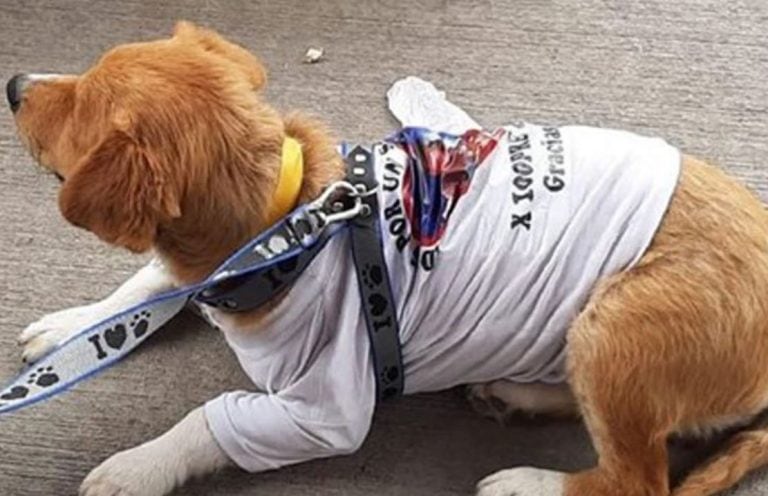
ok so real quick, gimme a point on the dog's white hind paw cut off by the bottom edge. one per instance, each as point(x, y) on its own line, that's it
point(523, 481)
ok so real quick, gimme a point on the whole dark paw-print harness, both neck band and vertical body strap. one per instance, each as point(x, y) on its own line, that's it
point(250, 291)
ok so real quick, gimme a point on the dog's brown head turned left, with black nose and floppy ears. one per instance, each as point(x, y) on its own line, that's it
point(137, 139)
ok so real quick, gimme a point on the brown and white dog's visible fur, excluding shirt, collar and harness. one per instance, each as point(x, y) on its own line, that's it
point(138, 142)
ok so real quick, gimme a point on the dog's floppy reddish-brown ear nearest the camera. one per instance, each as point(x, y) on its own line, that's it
point(121, 192)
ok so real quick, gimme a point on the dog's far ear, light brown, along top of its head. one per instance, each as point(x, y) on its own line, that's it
point(213, 42)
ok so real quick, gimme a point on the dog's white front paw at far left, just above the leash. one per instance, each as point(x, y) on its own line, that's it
point(42, 336)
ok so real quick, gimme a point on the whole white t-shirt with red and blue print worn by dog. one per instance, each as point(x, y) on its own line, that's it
point(493, 243)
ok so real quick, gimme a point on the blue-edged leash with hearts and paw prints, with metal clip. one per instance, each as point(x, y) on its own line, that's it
point(304, 231)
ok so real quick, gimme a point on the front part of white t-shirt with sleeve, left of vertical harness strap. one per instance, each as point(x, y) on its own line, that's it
point(314, 371)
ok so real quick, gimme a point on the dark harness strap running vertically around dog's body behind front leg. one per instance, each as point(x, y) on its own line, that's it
point(373, 279)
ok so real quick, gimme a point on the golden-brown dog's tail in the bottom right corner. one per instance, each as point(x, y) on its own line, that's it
point(745, 452)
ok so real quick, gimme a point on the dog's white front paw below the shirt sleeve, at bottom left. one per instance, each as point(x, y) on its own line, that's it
point(135, 472)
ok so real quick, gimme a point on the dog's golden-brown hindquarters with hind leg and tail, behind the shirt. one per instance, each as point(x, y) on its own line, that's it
point(678, 342)
